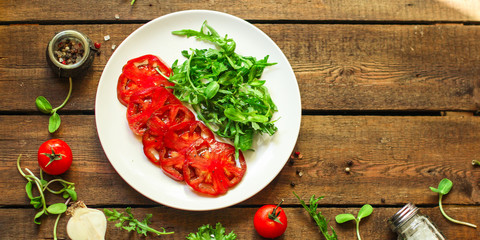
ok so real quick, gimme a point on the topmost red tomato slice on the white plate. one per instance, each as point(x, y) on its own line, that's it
point(140, 73)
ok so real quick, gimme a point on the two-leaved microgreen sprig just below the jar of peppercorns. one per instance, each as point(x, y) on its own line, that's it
point(45, 107)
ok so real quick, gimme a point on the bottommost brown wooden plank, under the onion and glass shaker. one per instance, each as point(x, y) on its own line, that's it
point(18, 223)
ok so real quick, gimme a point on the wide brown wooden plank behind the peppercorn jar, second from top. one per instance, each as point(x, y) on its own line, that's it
point(391, 67)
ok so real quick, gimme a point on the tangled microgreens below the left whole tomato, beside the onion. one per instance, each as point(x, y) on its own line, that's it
point(39, 202)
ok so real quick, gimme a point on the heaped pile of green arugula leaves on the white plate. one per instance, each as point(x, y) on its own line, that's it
point(224, 88)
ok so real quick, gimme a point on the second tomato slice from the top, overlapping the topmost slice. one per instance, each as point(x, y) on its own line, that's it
point(142, 105)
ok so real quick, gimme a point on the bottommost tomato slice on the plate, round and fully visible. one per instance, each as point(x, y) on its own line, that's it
point(210, 167)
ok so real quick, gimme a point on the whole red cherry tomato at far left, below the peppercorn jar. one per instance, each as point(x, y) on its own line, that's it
point(54, 156)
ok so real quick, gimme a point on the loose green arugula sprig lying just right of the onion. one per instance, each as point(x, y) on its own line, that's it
point(132, 224)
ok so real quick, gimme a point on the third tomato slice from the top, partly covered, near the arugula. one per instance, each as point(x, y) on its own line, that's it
point(165, 117)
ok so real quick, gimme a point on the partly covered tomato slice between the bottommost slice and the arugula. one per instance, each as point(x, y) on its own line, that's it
point(182, 135)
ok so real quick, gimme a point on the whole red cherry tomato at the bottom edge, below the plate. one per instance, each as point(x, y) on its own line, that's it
point(270, 221)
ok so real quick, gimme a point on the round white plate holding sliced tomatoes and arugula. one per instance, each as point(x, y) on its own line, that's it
point(125, 150)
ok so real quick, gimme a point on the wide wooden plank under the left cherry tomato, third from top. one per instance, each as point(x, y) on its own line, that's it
point(393, 160)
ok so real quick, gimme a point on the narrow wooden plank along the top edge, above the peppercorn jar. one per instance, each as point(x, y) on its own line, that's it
point(351, 10)
